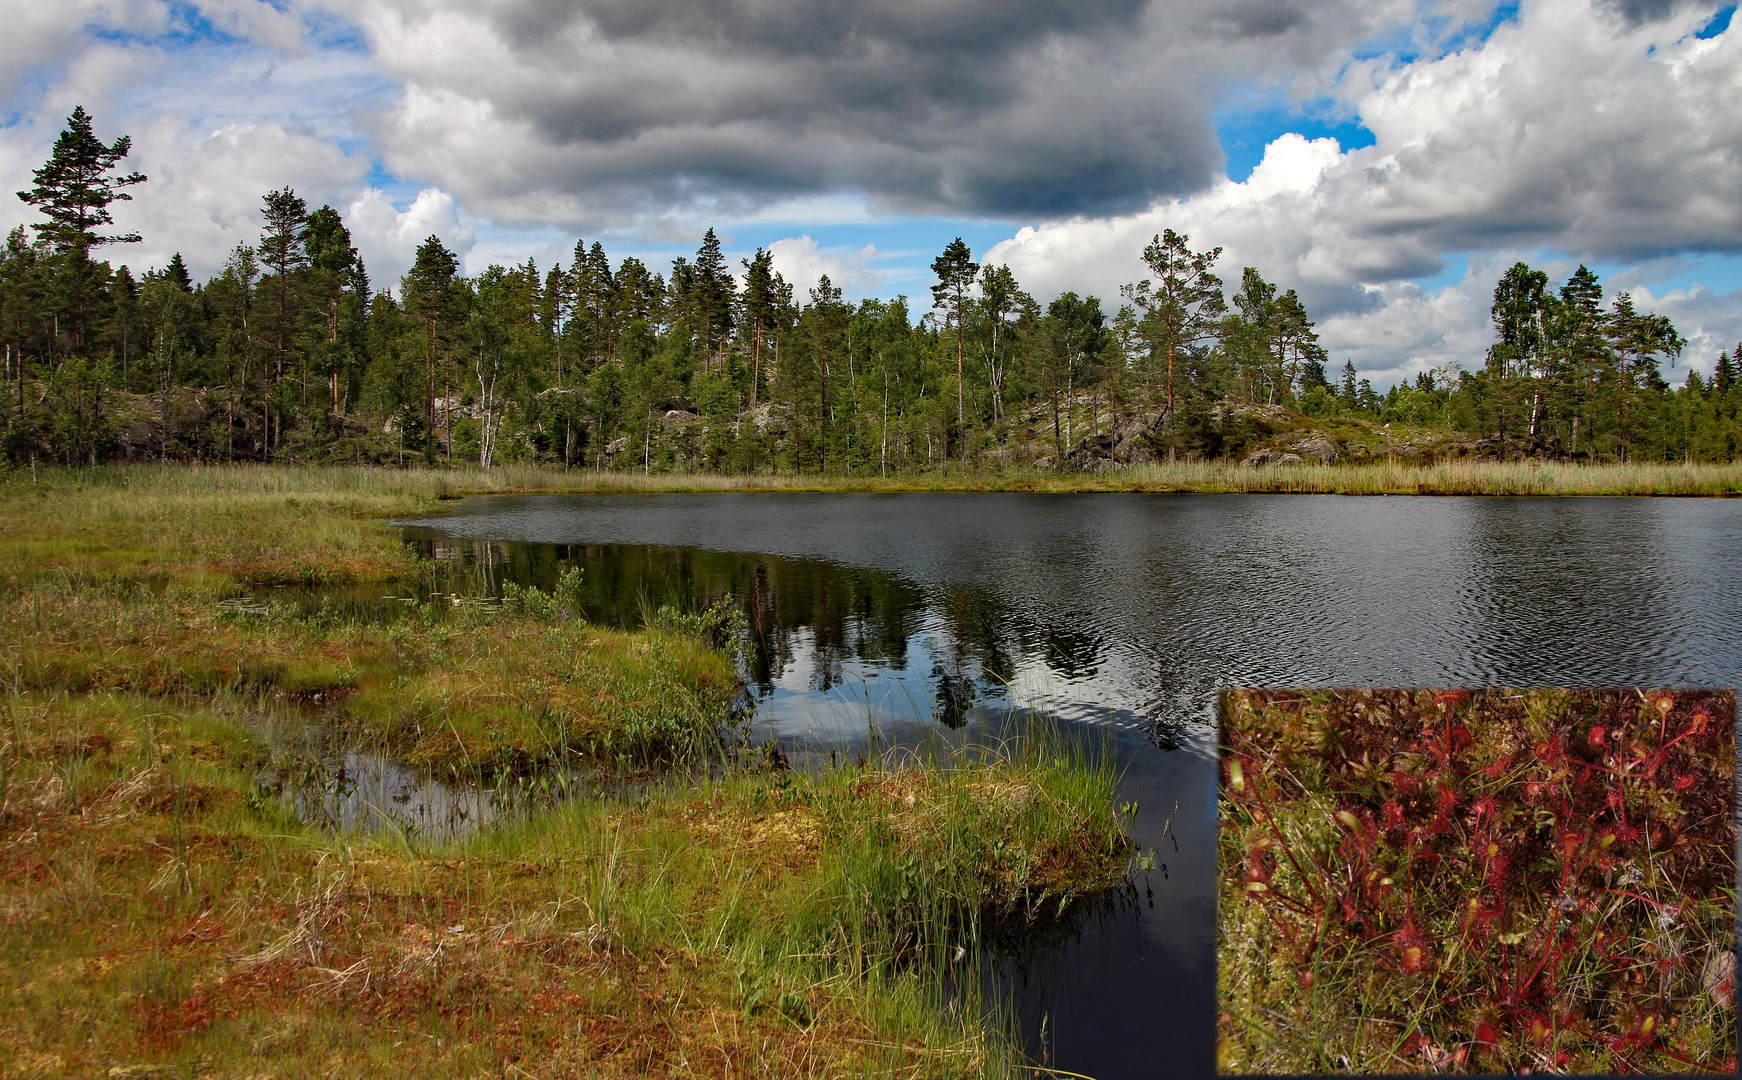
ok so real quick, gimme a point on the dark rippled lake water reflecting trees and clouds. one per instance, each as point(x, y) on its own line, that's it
point(1124, 614)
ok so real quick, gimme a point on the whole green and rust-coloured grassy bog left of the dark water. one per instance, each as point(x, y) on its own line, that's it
point(165, 910)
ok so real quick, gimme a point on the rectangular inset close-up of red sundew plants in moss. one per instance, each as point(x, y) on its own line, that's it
point(1490, 882)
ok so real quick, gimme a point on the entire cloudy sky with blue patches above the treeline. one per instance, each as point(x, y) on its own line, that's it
point(1388, 159)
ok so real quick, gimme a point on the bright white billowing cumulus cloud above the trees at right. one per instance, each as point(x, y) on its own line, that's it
point(1572, 132)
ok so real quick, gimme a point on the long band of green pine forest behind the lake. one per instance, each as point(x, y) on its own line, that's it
point(292, 354)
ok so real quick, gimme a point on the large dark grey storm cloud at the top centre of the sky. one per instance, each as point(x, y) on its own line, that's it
point(983, 107)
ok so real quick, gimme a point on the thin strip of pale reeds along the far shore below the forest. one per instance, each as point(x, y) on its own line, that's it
point(393, 492)
